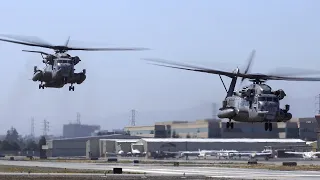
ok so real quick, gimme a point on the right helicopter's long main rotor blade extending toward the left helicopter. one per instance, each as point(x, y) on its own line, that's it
point(190, 67)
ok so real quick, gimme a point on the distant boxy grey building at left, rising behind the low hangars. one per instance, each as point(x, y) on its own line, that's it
point(78, 130)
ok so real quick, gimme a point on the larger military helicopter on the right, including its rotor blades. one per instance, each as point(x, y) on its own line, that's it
point(254, 103)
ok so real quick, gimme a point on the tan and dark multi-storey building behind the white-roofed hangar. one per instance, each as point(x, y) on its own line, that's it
point(297, 128)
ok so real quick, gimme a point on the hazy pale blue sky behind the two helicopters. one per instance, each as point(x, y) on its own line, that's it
point(219, 34)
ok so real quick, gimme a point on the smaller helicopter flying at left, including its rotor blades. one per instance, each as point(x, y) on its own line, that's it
point(59, 67)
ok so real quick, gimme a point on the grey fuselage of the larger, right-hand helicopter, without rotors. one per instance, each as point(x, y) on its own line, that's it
point(256, 103)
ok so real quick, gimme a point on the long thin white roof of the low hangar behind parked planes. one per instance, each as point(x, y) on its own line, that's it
point(245, 140)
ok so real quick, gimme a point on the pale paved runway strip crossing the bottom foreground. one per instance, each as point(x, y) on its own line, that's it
point(171, 170)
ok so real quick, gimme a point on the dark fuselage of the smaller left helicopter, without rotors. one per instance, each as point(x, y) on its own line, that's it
point(58, 72)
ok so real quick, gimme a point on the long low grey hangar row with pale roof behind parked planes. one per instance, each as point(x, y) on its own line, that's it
point(100, 146)
